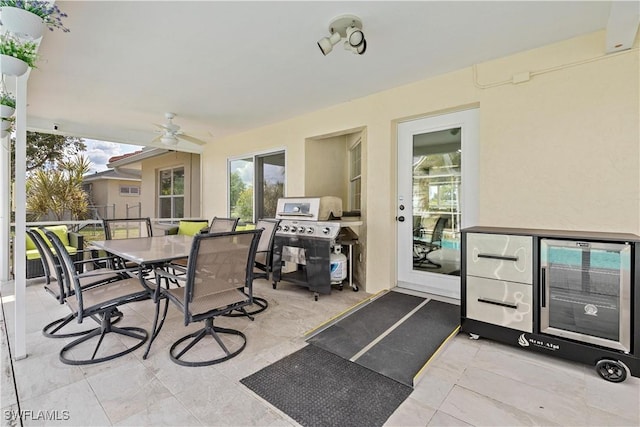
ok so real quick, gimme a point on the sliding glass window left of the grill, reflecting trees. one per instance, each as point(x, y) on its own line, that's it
point(255, 184)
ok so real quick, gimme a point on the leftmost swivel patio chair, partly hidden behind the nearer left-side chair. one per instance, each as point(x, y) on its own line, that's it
point(55, 285)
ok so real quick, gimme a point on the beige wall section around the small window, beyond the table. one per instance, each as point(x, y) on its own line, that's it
point(150, 171)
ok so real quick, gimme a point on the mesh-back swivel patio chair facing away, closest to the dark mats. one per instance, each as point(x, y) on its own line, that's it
point(218, 280)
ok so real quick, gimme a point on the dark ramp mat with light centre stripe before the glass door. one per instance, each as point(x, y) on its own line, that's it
point(395, 335)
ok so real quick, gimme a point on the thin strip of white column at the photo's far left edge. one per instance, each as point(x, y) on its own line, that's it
point(5, 207)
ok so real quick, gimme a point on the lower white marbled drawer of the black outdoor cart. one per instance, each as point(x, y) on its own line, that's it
point(500, 303)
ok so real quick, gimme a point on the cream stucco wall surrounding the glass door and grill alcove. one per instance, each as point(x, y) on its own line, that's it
point(559, 151)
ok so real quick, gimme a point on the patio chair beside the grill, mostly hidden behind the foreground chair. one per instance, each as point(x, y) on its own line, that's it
point(262, 266)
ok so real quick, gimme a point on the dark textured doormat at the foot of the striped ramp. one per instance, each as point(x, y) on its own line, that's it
point(318, 388)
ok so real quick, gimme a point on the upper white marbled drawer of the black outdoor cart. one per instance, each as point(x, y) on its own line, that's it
point(500, 256)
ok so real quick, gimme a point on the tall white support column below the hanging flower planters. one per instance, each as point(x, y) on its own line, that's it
point(19, 243)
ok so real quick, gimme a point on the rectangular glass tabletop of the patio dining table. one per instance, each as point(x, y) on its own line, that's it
point(148, 250)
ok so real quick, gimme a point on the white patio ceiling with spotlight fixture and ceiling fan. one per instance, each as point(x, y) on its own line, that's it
point(226, 67)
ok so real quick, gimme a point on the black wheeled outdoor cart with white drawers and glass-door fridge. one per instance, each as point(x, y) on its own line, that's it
point(574, 295)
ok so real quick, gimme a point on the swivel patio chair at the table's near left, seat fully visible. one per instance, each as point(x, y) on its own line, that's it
point(100, 302)
